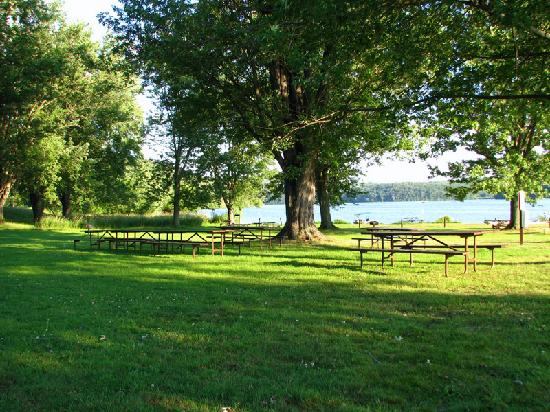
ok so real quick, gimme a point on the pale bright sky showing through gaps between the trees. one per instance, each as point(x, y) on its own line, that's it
point(389, 171)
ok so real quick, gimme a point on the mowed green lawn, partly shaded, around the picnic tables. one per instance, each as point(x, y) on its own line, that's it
point(297, 327)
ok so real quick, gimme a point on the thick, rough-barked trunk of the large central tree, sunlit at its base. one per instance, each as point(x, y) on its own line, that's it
point(299, 202)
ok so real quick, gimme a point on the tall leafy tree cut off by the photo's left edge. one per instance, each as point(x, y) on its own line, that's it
point(28, 63)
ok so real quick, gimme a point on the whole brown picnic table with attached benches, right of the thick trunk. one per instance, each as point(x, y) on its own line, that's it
point(408, 241)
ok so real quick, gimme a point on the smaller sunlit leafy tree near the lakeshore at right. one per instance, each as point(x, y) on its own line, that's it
point(513, 152)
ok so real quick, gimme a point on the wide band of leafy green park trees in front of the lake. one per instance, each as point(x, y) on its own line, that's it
point(279, 97)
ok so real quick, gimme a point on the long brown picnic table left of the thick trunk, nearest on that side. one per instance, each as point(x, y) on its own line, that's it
point(158, 238)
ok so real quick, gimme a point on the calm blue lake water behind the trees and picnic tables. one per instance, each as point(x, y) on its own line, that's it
point(469, 211)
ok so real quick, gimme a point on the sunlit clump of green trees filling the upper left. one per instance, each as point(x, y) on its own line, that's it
point(70, 123)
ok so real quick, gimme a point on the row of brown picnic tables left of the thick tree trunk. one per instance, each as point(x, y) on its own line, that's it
point(216, 239)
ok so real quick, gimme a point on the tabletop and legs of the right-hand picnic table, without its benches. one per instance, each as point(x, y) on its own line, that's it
point(407, 239)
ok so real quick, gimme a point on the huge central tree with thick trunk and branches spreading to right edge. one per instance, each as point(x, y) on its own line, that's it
point(287, 69)
